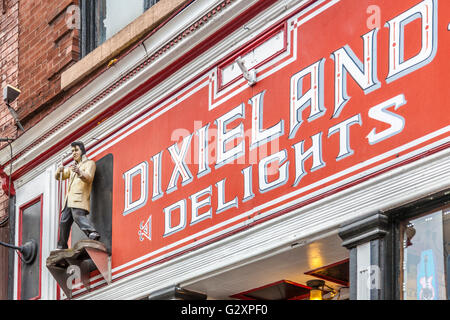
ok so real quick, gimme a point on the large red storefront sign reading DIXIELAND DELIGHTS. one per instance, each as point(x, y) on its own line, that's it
point(345, 90)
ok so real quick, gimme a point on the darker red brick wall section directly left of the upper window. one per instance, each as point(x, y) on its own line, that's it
point(47, 47)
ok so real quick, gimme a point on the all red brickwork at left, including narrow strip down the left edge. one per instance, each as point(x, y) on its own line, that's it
point(36, 45)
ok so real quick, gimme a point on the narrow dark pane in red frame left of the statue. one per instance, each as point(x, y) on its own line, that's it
point(30, 273)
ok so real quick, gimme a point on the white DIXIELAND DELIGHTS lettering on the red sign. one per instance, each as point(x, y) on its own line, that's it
point(272, 170)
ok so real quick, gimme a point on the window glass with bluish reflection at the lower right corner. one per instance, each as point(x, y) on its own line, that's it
point(426, 243)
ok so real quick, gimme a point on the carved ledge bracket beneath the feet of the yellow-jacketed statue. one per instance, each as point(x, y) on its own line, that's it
point(71, 267)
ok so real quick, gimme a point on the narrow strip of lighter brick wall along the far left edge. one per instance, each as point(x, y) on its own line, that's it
point(9, 58)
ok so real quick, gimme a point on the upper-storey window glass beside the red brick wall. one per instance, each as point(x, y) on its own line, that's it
point(101, 19)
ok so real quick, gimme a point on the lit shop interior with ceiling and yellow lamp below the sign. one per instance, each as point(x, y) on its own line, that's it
point(284, 275)
